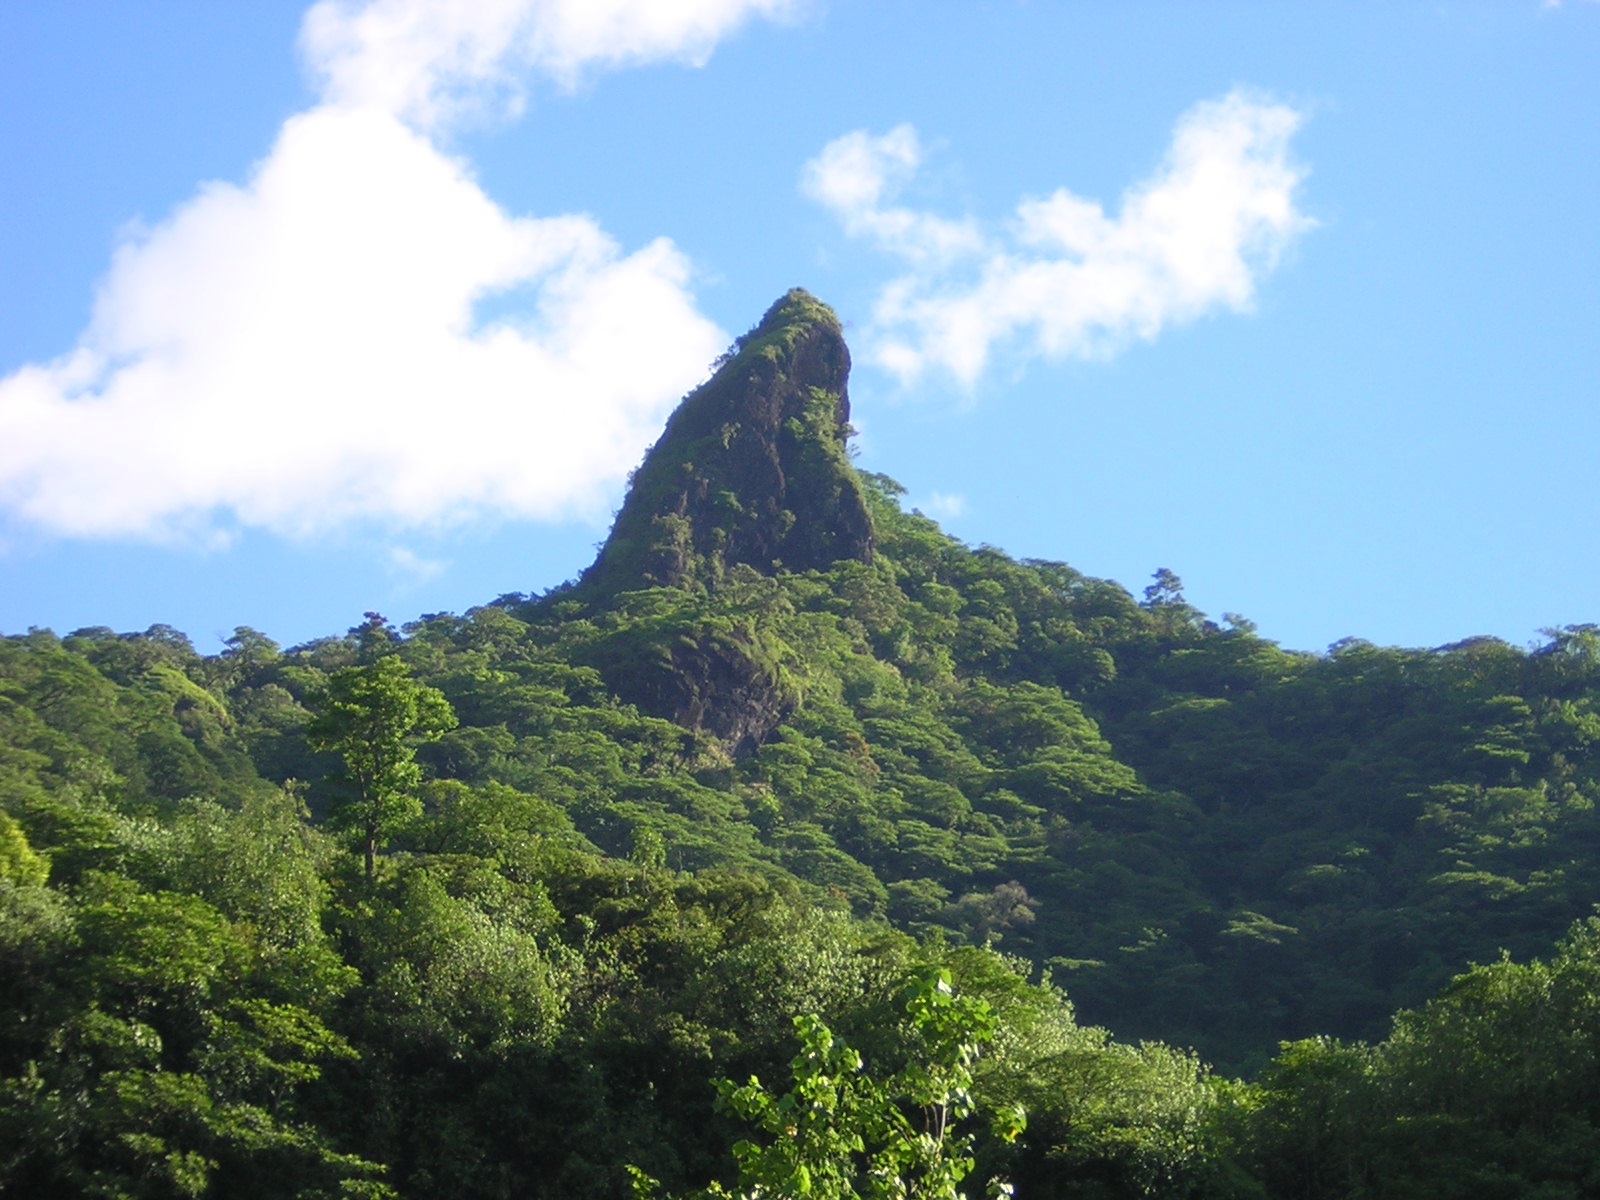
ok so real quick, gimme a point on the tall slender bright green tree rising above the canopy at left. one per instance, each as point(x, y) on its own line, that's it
point(374, 716)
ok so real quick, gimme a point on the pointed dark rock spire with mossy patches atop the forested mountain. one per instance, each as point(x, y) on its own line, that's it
point(751, 468)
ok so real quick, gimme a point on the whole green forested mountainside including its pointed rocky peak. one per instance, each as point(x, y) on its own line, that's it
point(484, 905)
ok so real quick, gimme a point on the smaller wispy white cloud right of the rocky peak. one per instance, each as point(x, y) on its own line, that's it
point(1063, 278)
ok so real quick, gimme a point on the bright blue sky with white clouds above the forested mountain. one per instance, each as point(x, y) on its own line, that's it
point(316, 311)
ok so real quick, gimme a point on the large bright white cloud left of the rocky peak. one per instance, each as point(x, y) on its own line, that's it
point(302, 351)
